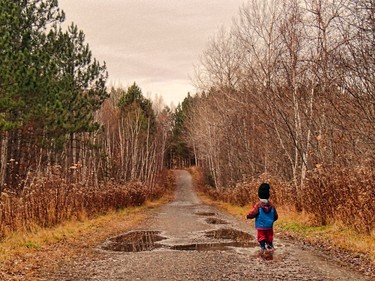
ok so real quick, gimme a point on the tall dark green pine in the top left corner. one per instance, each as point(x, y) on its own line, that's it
point(24, 64)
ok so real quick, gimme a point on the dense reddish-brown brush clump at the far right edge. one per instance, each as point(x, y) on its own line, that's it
point(343, 195)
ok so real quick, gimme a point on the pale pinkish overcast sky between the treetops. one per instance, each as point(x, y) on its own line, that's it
point(154, 43)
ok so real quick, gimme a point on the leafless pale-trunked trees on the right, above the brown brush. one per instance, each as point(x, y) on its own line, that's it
point(275, 89)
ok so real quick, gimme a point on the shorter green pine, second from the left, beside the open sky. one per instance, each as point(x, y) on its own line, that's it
point(80, 81)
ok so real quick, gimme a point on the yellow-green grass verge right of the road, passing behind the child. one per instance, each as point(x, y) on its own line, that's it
point(300, 226)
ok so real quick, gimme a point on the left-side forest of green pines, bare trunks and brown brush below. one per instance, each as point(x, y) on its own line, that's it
point(70, 147)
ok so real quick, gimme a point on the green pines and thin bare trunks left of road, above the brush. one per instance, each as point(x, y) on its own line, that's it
point(58, 118)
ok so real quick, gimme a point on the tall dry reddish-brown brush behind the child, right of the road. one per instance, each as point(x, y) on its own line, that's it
point(330, 195)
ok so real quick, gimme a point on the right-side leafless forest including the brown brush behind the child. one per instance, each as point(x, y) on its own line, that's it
point(287, 95)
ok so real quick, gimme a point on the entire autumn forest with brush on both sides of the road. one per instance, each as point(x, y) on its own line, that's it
point(285, 95)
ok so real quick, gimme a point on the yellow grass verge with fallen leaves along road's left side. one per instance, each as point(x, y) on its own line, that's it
point(24, 254)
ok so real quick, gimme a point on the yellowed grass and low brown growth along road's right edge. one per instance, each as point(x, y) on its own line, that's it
point(300, 225)
